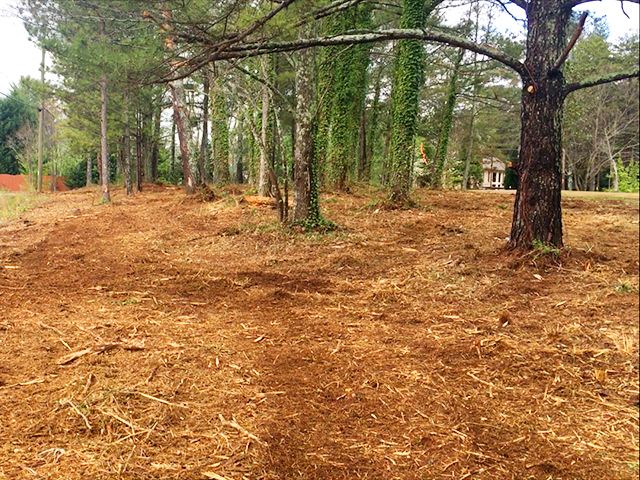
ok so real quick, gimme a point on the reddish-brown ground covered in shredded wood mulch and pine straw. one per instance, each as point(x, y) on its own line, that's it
point(165, 338)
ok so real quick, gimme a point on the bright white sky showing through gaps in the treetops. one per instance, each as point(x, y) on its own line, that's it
point(19, 57)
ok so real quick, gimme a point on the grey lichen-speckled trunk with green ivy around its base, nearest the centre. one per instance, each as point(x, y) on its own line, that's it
point(307, 205)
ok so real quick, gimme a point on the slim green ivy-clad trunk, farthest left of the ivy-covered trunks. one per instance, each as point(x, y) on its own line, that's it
point(219, 136)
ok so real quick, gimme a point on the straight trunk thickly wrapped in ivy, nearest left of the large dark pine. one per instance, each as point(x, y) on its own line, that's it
point(408, 79)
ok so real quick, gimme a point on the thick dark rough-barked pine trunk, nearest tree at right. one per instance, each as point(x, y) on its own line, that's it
point(537, 212)
